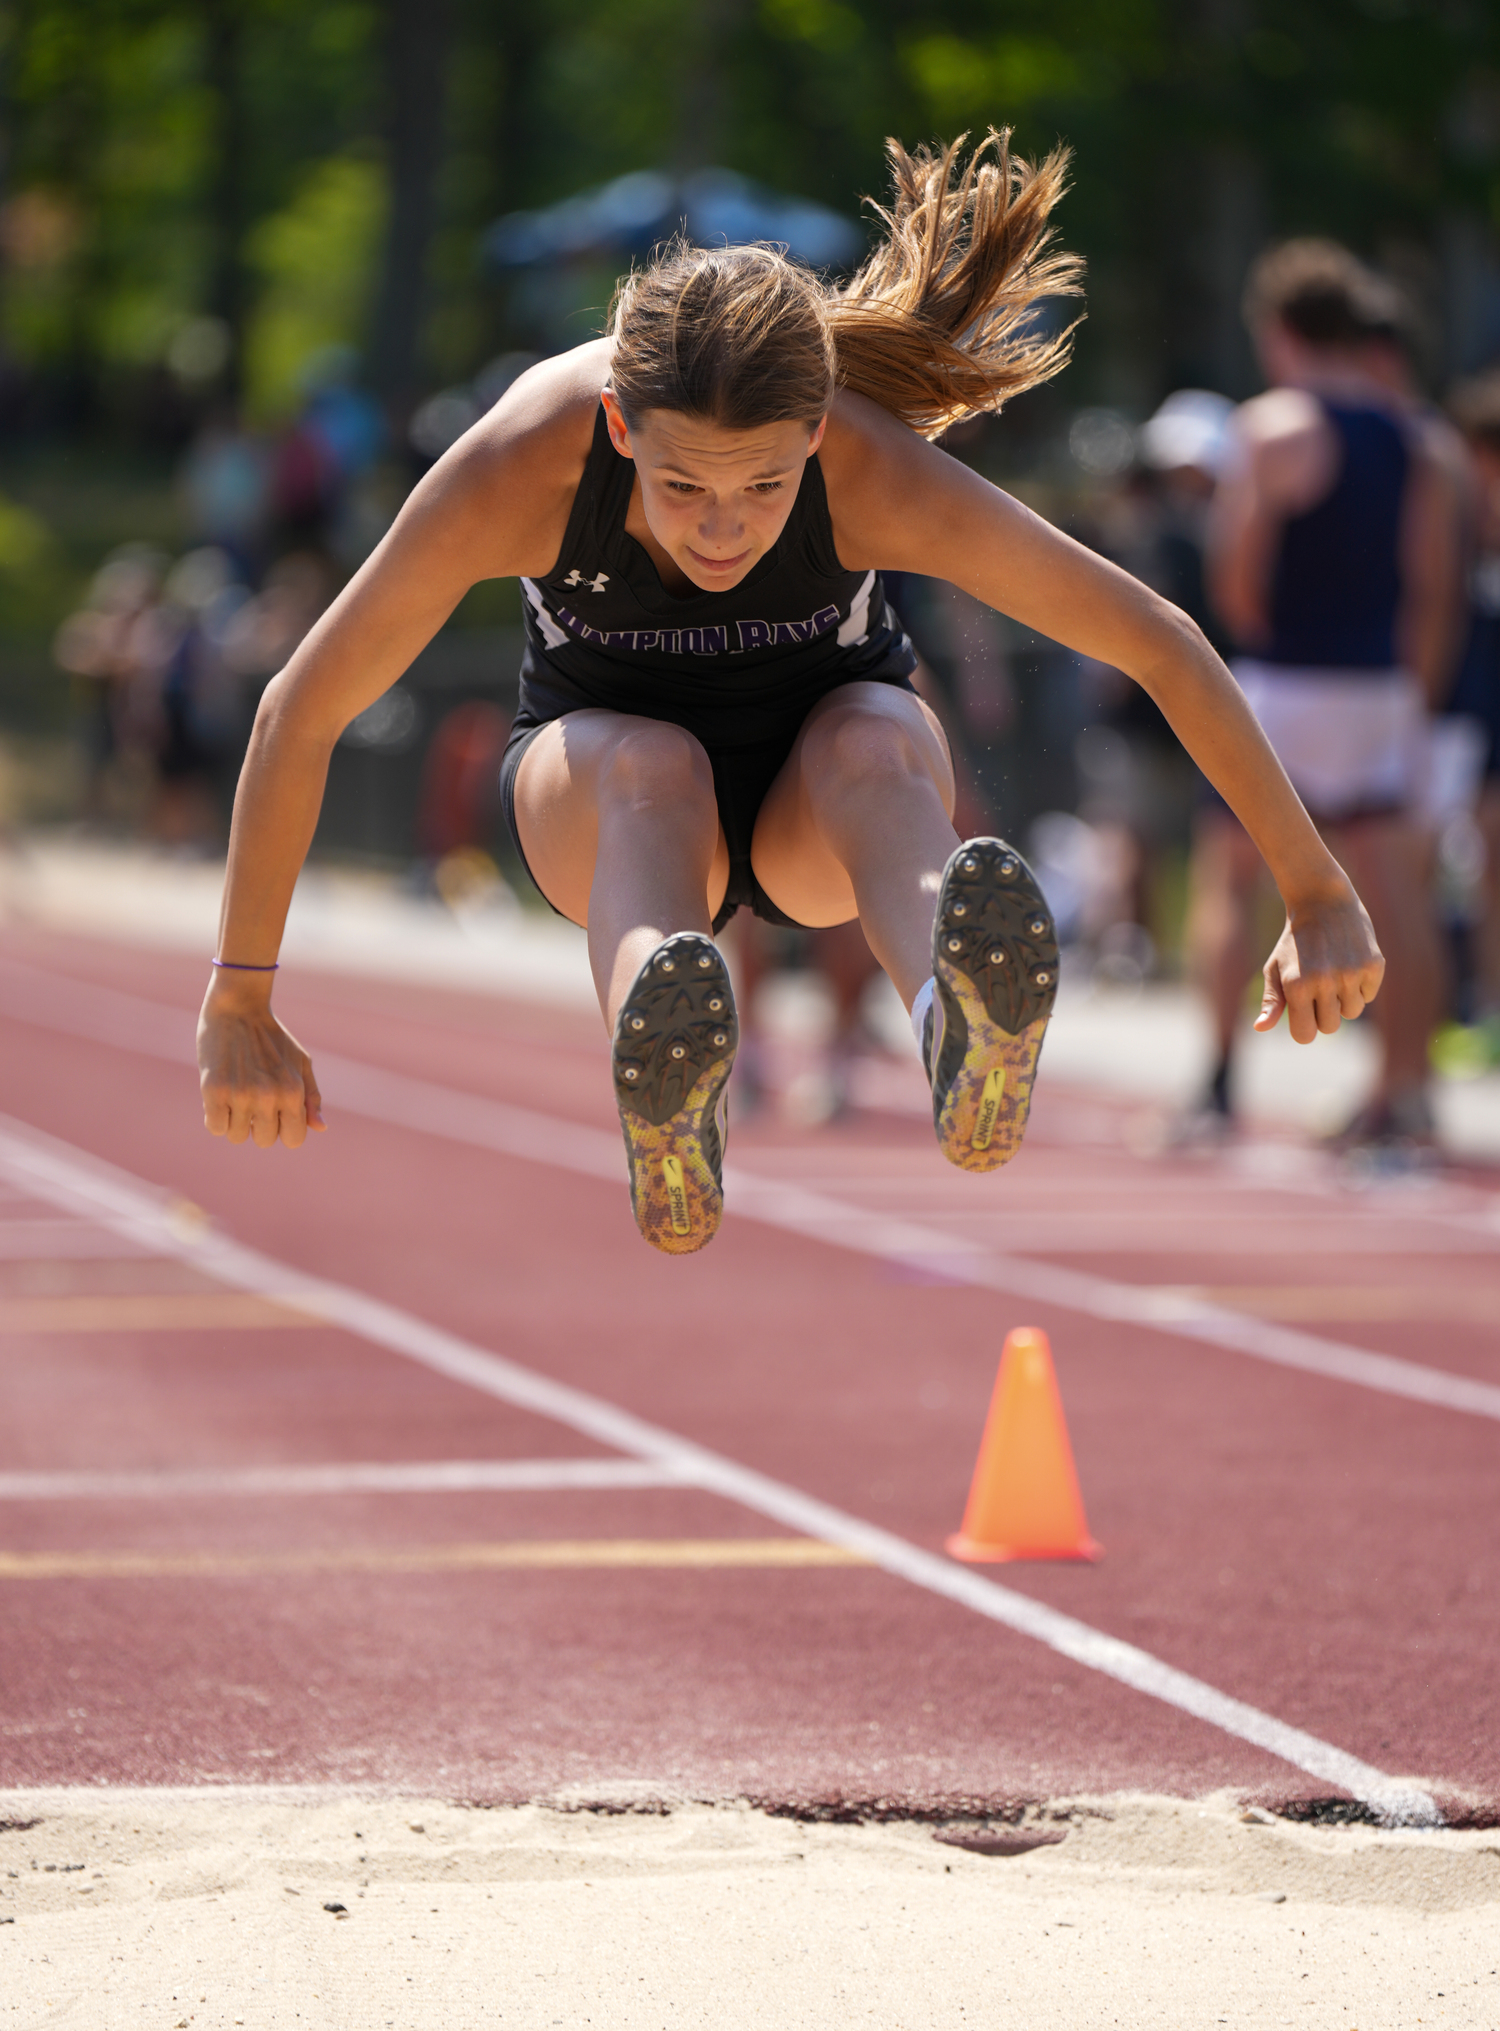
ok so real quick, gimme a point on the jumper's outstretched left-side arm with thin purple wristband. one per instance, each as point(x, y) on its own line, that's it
point(494, 507)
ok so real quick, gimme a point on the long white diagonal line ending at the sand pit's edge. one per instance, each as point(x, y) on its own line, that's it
point(90, 1187)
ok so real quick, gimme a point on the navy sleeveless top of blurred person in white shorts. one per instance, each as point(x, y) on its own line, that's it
point(1337, 582)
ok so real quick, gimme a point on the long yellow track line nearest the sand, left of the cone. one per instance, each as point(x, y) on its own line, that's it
point(527, 1553)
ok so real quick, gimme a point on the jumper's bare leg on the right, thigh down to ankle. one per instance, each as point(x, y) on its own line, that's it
point(860, 824)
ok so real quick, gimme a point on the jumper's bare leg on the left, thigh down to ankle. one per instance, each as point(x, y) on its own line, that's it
point(620, 828)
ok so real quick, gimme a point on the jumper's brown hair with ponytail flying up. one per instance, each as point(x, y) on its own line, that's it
point(939, 324)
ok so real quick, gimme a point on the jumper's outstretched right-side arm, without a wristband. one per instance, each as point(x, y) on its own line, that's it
point(904, 505)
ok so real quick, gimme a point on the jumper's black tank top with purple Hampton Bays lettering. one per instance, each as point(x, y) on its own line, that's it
point(730, 667)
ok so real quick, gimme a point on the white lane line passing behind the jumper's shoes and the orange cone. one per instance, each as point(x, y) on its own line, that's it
point(468, 1118)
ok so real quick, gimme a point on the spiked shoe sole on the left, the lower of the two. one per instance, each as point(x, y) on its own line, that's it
point(675, 1047)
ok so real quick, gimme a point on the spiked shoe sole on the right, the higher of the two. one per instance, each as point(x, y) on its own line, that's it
point(996, 968)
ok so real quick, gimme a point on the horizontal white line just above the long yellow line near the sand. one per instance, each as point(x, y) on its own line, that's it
point(352, 1478)
